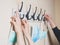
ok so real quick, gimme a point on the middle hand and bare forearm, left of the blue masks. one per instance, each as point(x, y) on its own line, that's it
point(26, 31)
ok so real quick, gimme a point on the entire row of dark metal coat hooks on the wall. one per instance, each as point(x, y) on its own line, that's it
point(33, 16)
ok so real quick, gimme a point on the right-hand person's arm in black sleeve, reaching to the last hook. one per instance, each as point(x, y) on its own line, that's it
point(54, 27)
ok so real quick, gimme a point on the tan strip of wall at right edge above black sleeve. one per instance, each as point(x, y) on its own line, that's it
point(57, 12)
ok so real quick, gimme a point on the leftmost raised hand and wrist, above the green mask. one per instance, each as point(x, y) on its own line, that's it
point(16, 22)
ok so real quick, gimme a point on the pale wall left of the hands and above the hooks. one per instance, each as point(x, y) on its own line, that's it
point(6, 12)
